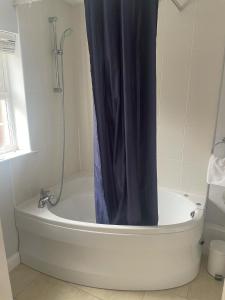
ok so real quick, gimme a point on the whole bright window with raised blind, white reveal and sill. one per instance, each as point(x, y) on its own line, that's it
point(14, 132)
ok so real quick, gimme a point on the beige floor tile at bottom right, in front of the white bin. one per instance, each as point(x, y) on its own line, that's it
point(205, 287)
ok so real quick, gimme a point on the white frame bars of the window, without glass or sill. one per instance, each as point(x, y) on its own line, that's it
point(6, 96)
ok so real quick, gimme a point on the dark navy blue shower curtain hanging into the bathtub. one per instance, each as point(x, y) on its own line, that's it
point(122, 45)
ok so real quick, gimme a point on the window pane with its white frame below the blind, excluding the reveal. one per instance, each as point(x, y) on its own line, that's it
point(7, 127)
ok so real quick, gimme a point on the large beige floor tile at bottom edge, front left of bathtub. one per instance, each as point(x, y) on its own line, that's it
point(47, 288)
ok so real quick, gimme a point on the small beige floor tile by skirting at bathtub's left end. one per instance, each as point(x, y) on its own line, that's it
point(21, 277)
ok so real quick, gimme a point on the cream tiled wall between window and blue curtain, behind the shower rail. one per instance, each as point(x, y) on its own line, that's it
point(44, 106)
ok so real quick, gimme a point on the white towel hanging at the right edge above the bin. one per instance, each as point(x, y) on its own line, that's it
point(216, 171)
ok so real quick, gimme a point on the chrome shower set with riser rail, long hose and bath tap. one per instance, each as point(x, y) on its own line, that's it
point(46, 196)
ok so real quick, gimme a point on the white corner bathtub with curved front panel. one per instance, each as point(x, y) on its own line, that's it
point(65, 241)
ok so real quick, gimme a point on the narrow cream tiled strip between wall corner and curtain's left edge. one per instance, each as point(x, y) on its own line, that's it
point(83, 88)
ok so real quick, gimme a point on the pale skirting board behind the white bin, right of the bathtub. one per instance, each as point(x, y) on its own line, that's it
point(212, 232)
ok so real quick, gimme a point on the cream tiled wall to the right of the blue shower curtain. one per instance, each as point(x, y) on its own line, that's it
point(190, 55)
